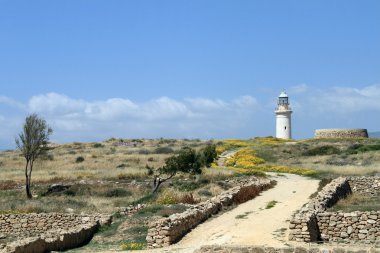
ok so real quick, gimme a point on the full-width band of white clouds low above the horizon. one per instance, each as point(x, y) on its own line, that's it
point(82, 120)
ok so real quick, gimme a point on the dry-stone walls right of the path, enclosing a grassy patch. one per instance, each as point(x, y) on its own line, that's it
point(314, 223)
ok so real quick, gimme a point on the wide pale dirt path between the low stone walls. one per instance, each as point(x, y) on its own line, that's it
point(251, 223)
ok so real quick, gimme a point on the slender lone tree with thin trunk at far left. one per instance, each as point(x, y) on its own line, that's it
point(32, 142)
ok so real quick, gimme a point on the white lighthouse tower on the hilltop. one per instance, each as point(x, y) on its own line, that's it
point(283, 117)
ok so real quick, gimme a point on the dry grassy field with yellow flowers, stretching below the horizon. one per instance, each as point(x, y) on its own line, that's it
point(106, 175)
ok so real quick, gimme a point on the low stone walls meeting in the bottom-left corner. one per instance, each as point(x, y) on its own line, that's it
point(47, 232)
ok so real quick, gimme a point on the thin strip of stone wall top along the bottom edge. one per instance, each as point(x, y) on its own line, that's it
point(262, 249)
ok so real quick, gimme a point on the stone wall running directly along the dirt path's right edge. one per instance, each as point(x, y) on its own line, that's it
point(304, 224)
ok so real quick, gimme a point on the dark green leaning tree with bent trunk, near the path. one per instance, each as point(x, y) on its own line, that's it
point(186, 161)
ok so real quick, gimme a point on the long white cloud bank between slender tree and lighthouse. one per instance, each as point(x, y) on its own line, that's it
point(79, 119)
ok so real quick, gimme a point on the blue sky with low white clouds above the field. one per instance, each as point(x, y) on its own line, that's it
point(96, 69)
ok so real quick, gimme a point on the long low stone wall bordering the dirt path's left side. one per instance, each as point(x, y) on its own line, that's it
point(166, 231)
